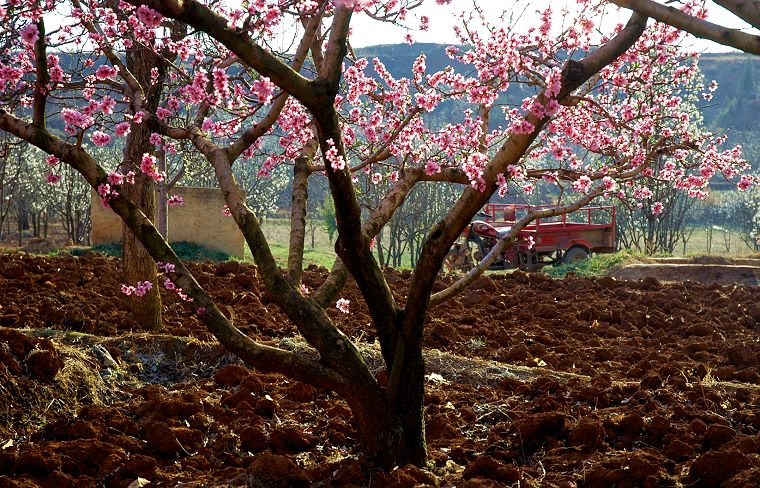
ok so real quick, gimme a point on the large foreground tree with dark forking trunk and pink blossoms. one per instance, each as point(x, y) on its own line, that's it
point(227, 92)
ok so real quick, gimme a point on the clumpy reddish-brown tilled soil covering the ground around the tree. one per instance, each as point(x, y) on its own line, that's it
point(550, 383)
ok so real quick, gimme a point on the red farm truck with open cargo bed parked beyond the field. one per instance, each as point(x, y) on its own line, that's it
point(561, 239)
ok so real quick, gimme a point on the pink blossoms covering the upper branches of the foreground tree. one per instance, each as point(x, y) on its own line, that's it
point(604, 138)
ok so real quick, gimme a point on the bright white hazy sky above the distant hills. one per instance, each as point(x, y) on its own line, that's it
point(366, 32)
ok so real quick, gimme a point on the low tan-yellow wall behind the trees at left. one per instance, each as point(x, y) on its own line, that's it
point(200, 221)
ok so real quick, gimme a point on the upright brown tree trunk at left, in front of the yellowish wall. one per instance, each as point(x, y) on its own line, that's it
point(138, 265)
